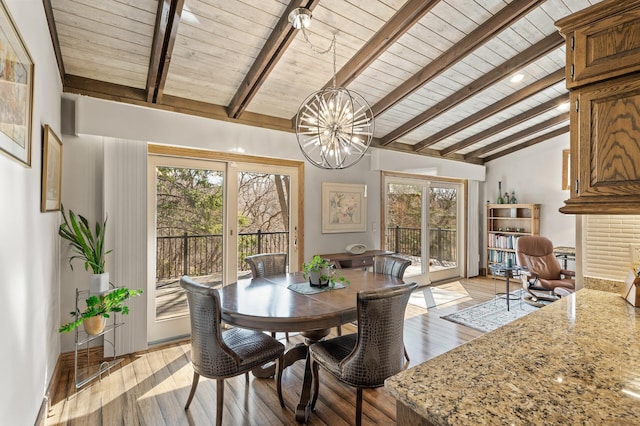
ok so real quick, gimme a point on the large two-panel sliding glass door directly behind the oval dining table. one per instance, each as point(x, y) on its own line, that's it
point(205, 217)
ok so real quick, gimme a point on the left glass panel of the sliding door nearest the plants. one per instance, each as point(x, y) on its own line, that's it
point(186, 207)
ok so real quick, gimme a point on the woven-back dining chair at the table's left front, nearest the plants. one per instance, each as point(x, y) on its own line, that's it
point(218, 355)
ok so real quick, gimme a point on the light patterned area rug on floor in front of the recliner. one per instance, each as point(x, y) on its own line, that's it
point(490, 315)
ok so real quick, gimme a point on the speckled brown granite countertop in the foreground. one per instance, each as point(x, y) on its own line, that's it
point(576, 361)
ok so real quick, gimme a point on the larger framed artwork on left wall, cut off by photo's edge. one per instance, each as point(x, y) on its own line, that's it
point(16, 91)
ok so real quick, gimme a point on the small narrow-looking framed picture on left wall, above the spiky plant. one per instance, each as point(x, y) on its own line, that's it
point(51, 171)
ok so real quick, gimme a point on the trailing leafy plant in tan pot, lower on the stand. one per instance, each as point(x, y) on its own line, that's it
point(98, 309)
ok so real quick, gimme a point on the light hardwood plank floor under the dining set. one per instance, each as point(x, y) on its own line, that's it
point(151, 387)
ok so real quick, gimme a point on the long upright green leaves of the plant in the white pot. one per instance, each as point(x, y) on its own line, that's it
point(87, 245)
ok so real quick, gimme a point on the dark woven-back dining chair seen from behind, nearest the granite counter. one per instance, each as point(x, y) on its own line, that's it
point(365, 359)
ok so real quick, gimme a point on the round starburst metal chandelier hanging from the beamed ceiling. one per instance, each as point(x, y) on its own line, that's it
point(334, 126)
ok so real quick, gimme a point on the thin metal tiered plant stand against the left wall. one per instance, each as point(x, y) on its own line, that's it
point(88, 372)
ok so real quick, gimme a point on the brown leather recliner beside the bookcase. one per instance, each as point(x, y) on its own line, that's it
point(544, 274)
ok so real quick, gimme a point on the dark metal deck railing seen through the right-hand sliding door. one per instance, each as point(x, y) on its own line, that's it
point(407, 241)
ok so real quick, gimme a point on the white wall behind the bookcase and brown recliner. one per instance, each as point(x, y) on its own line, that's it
point(535, 174)
